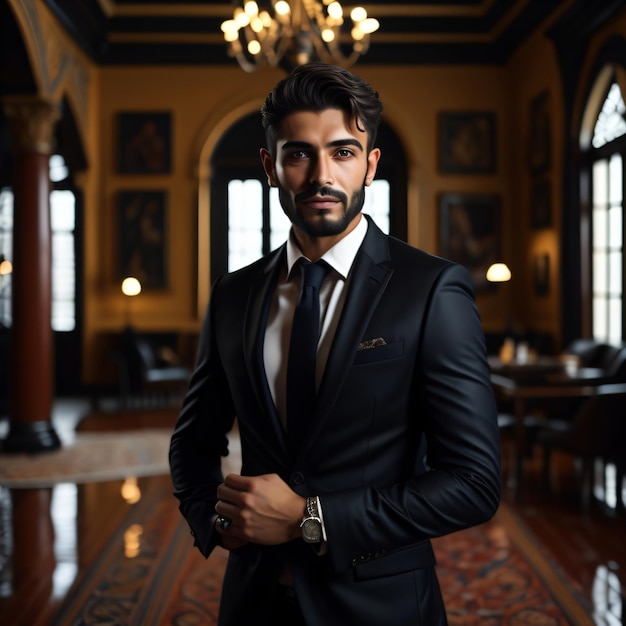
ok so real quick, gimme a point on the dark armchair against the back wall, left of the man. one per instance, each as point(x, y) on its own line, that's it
point(149, 373)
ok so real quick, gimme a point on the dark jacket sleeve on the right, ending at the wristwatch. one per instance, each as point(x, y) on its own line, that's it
point(457, 411)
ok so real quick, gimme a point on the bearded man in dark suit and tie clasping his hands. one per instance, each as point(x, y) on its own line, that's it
point(330, 519)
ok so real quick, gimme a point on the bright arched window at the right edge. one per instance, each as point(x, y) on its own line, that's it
point(607, 159)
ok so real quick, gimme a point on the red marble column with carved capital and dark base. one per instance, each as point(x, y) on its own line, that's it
point(31, 349)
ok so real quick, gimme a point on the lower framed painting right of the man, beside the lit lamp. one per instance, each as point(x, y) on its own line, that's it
point(469, 228)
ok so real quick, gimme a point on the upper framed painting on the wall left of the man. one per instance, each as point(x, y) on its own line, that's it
point(144, 145)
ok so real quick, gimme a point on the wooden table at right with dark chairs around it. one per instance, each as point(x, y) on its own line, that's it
point(544, 378)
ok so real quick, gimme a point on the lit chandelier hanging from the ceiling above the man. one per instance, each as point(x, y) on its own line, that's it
point(296, 32)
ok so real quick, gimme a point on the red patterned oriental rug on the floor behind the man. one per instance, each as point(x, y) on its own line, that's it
point(490, 575)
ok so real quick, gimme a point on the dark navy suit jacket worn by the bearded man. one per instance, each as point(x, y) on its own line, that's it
point(403, 446)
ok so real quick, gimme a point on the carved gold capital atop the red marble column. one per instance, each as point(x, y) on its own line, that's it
point(32, 122)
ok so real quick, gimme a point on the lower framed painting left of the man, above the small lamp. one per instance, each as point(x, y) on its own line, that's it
point(142, 237)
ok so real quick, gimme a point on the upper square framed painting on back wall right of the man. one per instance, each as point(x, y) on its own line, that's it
point(467, 142)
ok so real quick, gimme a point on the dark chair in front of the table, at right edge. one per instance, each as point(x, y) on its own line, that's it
point(598, 431)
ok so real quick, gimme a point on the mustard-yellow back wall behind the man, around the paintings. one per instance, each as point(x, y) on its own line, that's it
point(204, 102)
